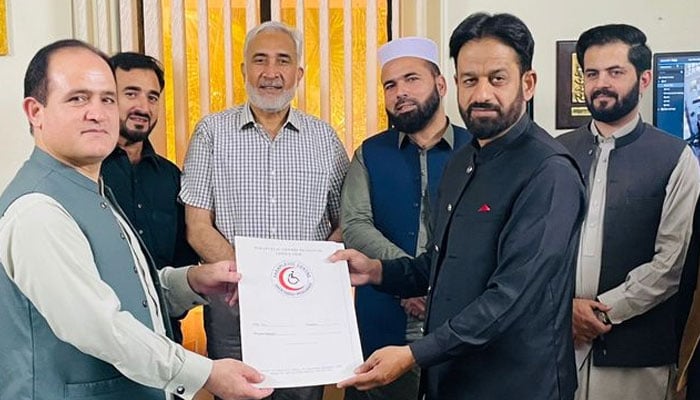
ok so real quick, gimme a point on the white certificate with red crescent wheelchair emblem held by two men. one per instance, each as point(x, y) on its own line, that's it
point(298, 323)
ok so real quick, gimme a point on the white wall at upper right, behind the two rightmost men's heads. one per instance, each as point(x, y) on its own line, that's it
point(669, 25)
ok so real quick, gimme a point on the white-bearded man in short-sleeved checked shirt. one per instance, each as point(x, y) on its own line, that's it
point(263, 170)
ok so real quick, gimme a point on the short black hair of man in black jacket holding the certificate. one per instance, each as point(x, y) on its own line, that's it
point(506, 28)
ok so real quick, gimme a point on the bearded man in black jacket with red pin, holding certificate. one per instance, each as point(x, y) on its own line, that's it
point(499, 276)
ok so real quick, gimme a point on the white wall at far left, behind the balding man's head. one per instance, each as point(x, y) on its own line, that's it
point(31, 24)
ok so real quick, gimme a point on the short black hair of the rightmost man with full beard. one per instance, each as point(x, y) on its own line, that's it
point(639, 53)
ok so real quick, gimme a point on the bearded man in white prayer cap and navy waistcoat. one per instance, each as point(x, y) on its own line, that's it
point(392, 181)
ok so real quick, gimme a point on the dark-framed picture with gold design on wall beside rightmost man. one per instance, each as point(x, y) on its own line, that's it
point(571, 102)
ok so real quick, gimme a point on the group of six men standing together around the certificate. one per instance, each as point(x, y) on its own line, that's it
point(513, 264)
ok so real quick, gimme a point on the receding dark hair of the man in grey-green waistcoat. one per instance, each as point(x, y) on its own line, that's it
point(36, 83)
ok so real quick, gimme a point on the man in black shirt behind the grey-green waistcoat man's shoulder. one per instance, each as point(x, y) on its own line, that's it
point(145, 184)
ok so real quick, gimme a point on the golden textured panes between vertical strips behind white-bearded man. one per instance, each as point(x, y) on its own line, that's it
point(312, 77)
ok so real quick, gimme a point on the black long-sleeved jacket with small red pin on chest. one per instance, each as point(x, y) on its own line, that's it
point(500, 276)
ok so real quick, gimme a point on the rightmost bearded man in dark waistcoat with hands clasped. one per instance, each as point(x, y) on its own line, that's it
point(643, 185)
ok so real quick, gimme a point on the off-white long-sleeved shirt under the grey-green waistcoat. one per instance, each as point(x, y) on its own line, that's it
point(54, 268)
